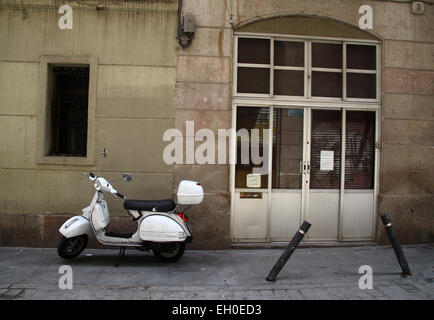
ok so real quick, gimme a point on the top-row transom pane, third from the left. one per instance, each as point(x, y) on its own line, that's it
point(327, 55)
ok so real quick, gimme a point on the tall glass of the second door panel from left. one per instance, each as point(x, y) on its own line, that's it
point(287, 148)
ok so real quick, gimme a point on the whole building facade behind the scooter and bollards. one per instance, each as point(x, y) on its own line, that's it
point(345, 115)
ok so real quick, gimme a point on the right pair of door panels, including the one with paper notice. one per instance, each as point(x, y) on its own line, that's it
point(340, 195)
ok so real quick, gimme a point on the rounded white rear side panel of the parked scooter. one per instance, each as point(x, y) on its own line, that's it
point(160, 228)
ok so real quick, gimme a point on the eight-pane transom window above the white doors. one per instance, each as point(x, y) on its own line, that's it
point(306, 69)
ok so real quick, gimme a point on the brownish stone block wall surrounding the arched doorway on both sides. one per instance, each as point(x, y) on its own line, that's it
point(204, 84)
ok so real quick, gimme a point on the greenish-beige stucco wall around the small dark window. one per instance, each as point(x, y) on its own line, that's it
point(134, 44)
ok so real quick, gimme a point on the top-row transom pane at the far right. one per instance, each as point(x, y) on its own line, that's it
point(361, 57)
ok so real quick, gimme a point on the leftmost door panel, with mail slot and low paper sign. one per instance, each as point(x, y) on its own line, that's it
point(249, 223)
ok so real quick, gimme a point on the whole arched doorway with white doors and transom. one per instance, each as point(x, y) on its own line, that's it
point(314, 84)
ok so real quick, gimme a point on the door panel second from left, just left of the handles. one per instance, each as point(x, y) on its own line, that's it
point(288, 169)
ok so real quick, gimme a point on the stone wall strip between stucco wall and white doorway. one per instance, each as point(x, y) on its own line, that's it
point(203, 93)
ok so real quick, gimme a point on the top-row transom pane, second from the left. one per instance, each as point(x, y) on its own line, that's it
point(288, 53)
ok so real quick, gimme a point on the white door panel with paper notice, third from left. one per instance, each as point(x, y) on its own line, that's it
point(324, 183)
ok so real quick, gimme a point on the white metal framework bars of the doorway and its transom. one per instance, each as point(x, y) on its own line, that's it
point(307, 103)
